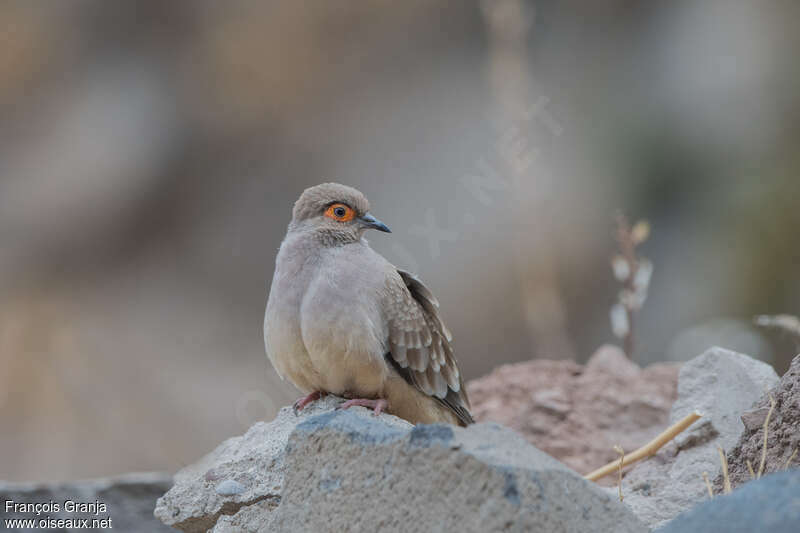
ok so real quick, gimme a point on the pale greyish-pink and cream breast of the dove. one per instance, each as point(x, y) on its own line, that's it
point(324, 328)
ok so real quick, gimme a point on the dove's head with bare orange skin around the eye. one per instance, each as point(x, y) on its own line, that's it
point(338, 213)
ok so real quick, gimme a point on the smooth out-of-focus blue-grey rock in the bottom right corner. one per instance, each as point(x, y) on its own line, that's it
point(767, 505)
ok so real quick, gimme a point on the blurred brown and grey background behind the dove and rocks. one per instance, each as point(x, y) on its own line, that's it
point(150, 153)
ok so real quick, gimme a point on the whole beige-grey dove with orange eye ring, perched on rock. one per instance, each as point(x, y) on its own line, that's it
point(341, 319)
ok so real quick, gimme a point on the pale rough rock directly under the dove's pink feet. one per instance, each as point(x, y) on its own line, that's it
point(242, 471)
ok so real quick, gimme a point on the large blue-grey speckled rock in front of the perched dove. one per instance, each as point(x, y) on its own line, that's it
point(351, 473)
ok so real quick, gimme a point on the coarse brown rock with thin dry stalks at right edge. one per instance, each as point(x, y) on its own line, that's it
point(783, 433)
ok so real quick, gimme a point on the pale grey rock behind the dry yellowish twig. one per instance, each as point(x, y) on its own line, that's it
point(720, 384)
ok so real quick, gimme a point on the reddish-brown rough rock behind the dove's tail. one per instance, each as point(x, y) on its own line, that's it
point(578, 413)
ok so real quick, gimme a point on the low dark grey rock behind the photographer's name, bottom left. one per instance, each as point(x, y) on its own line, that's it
point(129, 500)
